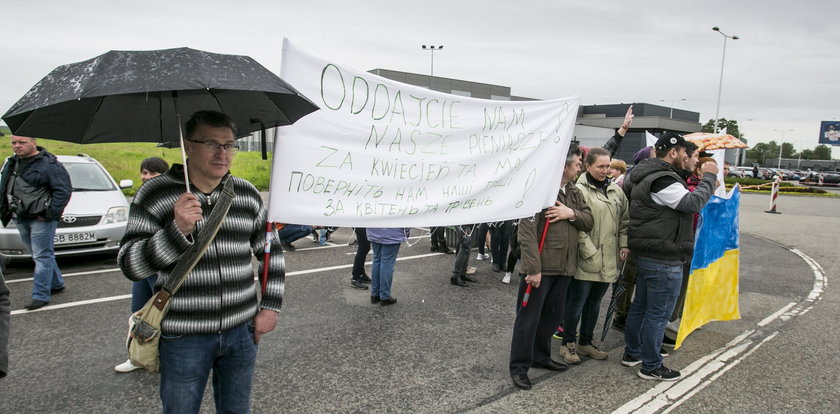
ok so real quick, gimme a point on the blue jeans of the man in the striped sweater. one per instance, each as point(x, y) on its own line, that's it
point(186, 361)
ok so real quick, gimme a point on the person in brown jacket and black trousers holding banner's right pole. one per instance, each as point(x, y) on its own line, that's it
point(548, 271)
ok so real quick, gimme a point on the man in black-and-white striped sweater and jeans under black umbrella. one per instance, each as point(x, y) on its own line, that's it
point(215, 320)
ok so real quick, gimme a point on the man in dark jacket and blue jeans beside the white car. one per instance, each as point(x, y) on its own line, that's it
point(36, 188)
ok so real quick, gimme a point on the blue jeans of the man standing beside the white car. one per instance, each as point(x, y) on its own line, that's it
point(38, 237)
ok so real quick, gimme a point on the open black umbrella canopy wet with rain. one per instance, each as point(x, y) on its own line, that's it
point(135, 96)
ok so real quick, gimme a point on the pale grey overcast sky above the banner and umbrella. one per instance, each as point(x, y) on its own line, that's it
point(783, 74)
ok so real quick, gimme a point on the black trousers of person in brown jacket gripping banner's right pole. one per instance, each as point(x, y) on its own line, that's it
point(535, 323)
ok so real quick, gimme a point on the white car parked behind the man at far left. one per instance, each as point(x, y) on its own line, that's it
point(94, 220)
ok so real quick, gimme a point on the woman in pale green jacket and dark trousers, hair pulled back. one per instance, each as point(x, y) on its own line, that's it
point(599, 251)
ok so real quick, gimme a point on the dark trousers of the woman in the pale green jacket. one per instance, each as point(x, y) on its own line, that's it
point(582, 304)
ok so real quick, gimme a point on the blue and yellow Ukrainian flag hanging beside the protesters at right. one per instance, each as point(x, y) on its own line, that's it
point(712, 293)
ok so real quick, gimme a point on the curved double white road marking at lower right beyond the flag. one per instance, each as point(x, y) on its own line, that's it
point(704, 371)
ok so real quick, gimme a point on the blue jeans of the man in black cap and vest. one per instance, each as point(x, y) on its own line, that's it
point(657, 288)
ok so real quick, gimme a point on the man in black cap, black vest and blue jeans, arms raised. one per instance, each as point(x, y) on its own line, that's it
point(661, 240)
